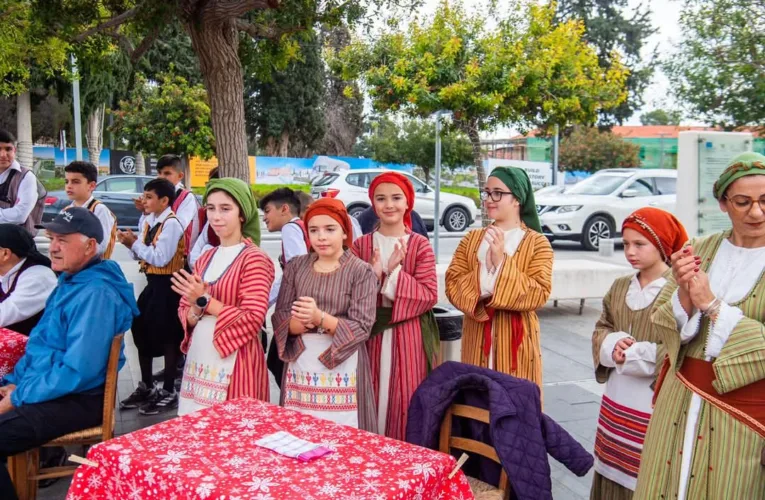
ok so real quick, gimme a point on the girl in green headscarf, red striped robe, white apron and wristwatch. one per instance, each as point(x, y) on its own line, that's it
point(224, 303)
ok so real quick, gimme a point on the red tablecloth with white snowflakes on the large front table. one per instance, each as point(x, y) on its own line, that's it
point(210, 455)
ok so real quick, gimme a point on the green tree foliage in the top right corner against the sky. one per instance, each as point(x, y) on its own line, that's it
point(719, 68)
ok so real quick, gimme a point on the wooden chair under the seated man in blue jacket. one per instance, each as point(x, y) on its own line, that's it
point(24, 468)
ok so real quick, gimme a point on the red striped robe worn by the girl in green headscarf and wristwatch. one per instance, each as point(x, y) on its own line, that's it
point(244, 289)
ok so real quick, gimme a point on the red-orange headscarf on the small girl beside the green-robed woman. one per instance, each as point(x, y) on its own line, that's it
point(660, 227)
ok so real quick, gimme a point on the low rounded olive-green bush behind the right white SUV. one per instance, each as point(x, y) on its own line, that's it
point(589, 149)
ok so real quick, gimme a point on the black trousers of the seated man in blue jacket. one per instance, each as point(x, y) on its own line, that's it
point(31, 426)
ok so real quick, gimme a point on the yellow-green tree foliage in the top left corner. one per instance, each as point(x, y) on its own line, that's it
point(27, 46)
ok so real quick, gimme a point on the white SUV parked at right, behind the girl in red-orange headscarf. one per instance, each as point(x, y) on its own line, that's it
point(596, 207)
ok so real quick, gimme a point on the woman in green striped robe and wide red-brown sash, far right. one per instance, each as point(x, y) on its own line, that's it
point(706, 439)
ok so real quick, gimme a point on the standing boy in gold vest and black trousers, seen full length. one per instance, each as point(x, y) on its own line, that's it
point(160, 249)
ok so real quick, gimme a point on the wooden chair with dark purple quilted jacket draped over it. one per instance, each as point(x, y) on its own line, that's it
point(481, 490)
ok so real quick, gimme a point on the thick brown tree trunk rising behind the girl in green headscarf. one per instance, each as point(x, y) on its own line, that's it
point(216, 43)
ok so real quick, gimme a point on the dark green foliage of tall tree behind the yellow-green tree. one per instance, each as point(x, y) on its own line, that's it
point(610, 29)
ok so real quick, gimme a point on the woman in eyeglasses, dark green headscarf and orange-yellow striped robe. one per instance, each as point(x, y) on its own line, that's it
point(499, 276)
